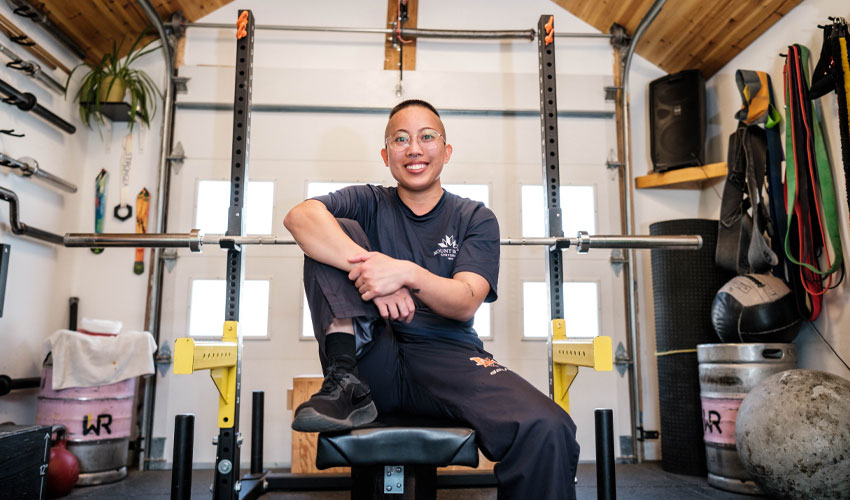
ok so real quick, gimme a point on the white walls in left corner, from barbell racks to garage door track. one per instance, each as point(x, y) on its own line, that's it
point(42, 276)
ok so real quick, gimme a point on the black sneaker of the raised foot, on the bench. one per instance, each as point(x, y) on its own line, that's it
point(344, 402)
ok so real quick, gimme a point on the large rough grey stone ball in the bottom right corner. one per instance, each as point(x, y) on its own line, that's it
point(793, 435)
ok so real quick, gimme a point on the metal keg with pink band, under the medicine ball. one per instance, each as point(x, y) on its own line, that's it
point(727, 372)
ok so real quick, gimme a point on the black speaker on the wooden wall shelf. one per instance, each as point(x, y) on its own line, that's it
point(677, 120)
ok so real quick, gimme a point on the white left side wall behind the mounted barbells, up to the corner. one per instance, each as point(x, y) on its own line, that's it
point(38, 283)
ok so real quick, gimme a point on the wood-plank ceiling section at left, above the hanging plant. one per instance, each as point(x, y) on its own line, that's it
point(95, 24)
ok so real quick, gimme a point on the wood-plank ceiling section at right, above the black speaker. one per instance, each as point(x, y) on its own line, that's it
point(687, 34)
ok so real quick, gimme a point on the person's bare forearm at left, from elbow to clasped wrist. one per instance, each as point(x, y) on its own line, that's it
point(319, 235)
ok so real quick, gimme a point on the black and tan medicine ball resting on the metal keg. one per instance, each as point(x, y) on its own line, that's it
point(755, 308)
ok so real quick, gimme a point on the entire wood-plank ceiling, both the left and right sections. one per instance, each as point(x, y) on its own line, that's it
point(687, 34)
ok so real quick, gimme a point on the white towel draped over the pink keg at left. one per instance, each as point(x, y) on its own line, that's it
point(81, 360)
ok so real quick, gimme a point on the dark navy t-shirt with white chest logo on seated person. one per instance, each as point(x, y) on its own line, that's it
point(458, 234)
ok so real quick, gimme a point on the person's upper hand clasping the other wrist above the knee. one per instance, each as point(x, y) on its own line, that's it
point(377, 275)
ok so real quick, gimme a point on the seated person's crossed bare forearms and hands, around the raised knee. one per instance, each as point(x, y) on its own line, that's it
point(378, 277)
